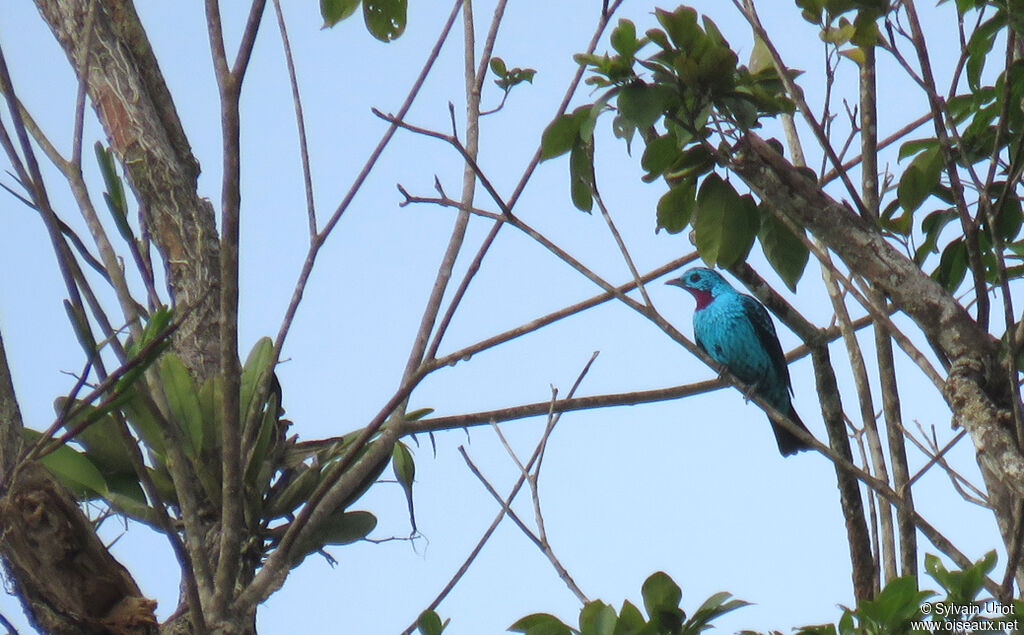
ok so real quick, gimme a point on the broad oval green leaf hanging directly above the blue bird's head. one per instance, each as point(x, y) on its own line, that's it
point(727, 224)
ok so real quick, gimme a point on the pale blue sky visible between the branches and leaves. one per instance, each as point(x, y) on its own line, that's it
point(694, 488)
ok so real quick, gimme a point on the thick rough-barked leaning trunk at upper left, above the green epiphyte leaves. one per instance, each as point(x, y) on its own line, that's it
point(135, 107)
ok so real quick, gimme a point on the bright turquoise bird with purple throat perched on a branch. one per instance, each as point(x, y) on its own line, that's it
point(737, 331)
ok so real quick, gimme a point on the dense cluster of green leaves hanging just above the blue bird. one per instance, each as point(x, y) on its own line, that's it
point(691, 88)
